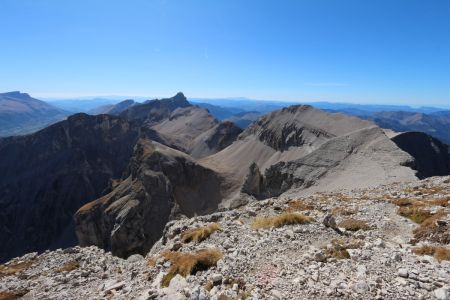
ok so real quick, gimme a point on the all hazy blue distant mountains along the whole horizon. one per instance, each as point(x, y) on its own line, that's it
point(20, 114)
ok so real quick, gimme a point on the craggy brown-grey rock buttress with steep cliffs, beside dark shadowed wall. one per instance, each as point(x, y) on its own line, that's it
point(161, 183)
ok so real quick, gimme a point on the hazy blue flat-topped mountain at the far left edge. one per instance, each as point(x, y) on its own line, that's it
point(22, 114)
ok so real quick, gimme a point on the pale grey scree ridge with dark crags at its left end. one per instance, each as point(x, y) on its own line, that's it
point(359, 159)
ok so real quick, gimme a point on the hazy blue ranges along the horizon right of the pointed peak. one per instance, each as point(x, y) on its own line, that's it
point(431, 120)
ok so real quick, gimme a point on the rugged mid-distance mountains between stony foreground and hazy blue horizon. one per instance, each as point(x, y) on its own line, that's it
point(115, 179)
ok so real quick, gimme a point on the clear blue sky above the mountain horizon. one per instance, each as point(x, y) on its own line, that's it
point(384, 51)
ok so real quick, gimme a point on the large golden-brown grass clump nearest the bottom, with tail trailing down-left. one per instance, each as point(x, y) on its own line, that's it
point(189, 263)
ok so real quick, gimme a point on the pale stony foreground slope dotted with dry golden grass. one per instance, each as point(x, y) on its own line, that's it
point(389, 242)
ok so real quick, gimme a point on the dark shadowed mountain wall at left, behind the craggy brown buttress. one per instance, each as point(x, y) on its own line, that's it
point(48, 175)
